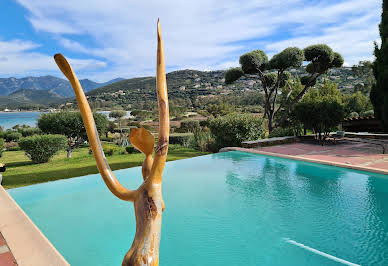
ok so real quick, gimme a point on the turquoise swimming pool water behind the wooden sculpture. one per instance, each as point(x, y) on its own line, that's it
point(231, 208)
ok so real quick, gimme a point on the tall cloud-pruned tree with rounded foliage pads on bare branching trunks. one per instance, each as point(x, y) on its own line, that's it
point(273, 74)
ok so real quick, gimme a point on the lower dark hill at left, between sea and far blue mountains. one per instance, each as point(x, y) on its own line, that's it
point(26, 97)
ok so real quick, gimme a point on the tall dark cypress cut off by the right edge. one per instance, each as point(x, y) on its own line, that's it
point(379, 92)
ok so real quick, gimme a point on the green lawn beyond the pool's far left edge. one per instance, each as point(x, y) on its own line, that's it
point(22, 172)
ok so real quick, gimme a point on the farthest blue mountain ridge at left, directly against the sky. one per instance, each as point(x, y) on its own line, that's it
point(46, 83)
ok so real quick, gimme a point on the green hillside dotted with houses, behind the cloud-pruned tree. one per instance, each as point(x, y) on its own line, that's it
point(190, 84)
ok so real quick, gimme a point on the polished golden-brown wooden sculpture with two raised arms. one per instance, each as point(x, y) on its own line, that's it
point(147, 199)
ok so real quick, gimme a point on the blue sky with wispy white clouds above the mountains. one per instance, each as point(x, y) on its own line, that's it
point(117, 38)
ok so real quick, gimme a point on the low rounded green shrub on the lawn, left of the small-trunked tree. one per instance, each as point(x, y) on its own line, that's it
point(40, 148)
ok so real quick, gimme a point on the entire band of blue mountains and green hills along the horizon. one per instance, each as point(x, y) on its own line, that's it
point(183, 85)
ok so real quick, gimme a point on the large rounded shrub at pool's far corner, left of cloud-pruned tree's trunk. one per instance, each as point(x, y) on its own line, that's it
point(233, 129)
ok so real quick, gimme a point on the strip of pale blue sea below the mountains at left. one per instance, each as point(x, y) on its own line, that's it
point(10, 119)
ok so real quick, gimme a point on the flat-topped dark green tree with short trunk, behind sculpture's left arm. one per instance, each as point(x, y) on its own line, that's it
point(70, 124)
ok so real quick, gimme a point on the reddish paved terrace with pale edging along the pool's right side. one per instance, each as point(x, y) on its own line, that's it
point(348, 154)
